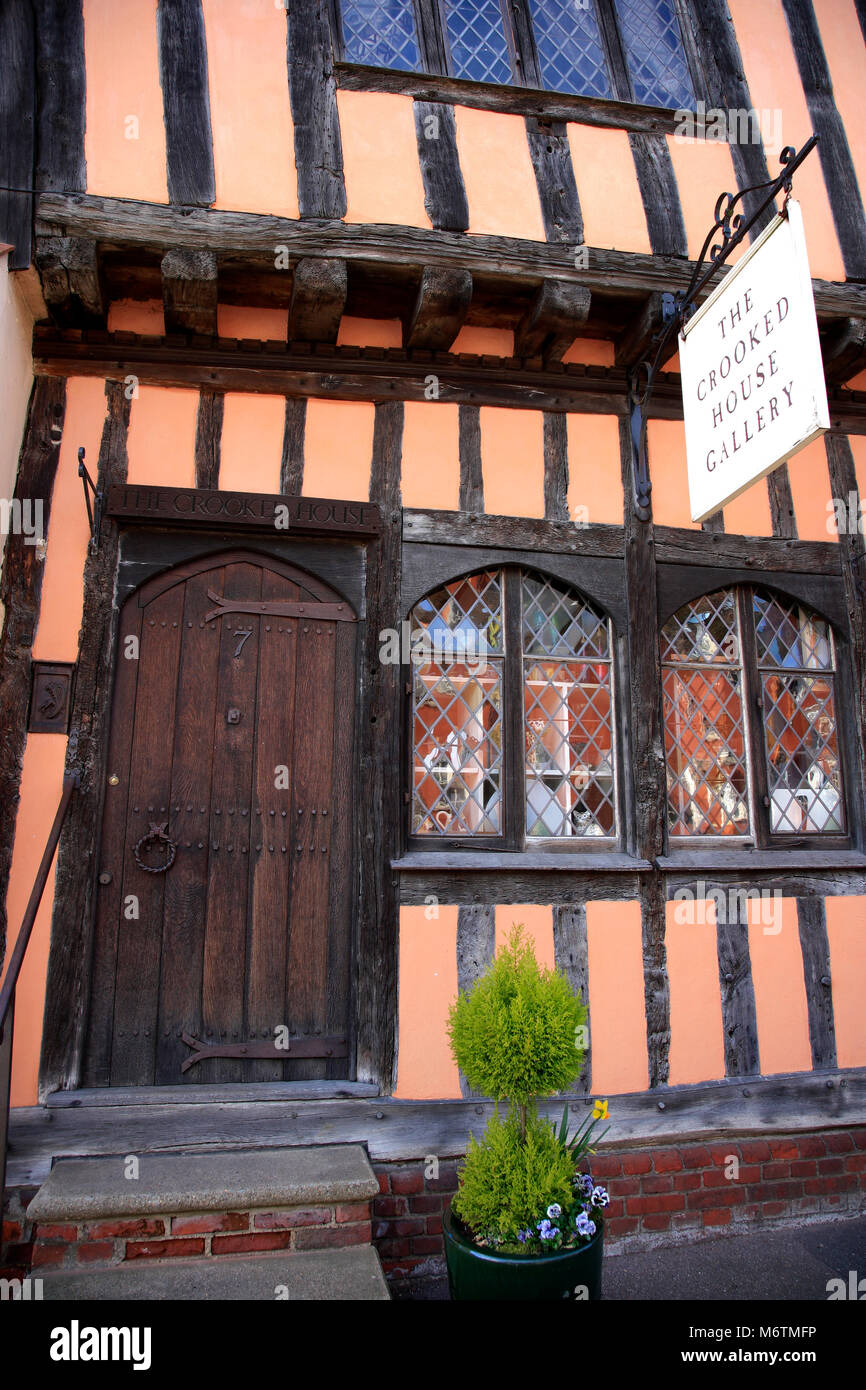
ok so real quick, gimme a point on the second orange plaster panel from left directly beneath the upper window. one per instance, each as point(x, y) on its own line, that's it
point(498, 174)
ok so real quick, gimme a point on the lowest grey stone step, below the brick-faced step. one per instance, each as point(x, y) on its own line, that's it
point(327, 1275)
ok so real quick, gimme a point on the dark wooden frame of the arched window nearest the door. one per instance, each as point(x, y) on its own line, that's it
point(514, 839)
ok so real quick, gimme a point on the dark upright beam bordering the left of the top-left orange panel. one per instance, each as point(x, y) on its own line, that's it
point(60, 91)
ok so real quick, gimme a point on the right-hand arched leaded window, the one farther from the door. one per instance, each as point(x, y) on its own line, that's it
point(750, 719)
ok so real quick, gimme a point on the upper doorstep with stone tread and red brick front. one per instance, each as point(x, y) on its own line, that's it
point(170, 1207)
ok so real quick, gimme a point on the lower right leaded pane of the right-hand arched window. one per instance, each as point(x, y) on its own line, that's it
point(803, 755)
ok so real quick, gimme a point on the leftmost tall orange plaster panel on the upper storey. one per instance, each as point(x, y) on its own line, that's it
point(123, 69)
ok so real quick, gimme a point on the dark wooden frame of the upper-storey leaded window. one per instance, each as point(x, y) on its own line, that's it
point(434, 49)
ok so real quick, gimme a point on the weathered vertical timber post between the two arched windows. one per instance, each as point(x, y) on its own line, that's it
point(647, 833)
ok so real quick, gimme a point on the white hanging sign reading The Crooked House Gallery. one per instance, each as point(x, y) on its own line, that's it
point(754, 389)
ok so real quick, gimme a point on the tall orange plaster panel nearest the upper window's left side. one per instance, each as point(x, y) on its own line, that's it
point(250, 106)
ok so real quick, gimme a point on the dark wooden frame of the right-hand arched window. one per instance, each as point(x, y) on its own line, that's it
point(758, 799)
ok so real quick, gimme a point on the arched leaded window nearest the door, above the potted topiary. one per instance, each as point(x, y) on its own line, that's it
point(512, 714)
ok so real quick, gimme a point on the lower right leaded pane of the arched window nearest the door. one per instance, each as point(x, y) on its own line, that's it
point(569, 750)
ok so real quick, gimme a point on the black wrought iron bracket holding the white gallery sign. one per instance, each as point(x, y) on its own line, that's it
point(678, 309)
